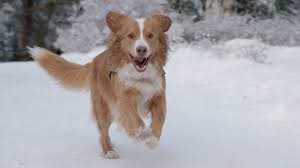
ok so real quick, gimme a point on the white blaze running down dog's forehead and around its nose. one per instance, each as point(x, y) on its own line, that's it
point(140, 41)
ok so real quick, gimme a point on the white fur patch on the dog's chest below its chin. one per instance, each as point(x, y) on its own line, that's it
point(148, 83)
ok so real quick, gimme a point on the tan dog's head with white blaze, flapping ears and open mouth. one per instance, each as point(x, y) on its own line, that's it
point(142, 40)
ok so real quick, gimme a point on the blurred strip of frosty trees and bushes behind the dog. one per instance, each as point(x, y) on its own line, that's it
point(79, 25)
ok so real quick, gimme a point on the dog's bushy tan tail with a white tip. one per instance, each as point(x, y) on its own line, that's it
point(69, 75)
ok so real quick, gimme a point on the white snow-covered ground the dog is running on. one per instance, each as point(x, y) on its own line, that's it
point(234, 105)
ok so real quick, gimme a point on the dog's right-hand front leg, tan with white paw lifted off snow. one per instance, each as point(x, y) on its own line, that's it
point(158, 114)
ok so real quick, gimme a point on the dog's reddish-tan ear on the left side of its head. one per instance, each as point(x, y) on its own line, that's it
point(114, 21)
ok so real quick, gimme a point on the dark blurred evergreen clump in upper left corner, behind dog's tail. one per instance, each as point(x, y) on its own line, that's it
point(32, 22)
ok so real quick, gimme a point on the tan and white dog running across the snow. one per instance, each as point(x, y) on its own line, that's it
point(126, 81)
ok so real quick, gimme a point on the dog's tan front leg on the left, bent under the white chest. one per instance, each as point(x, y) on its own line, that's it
point(128, 115)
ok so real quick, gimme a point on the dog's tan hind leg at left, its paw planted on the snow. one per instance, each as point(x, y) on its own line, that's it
point(104, 119)
